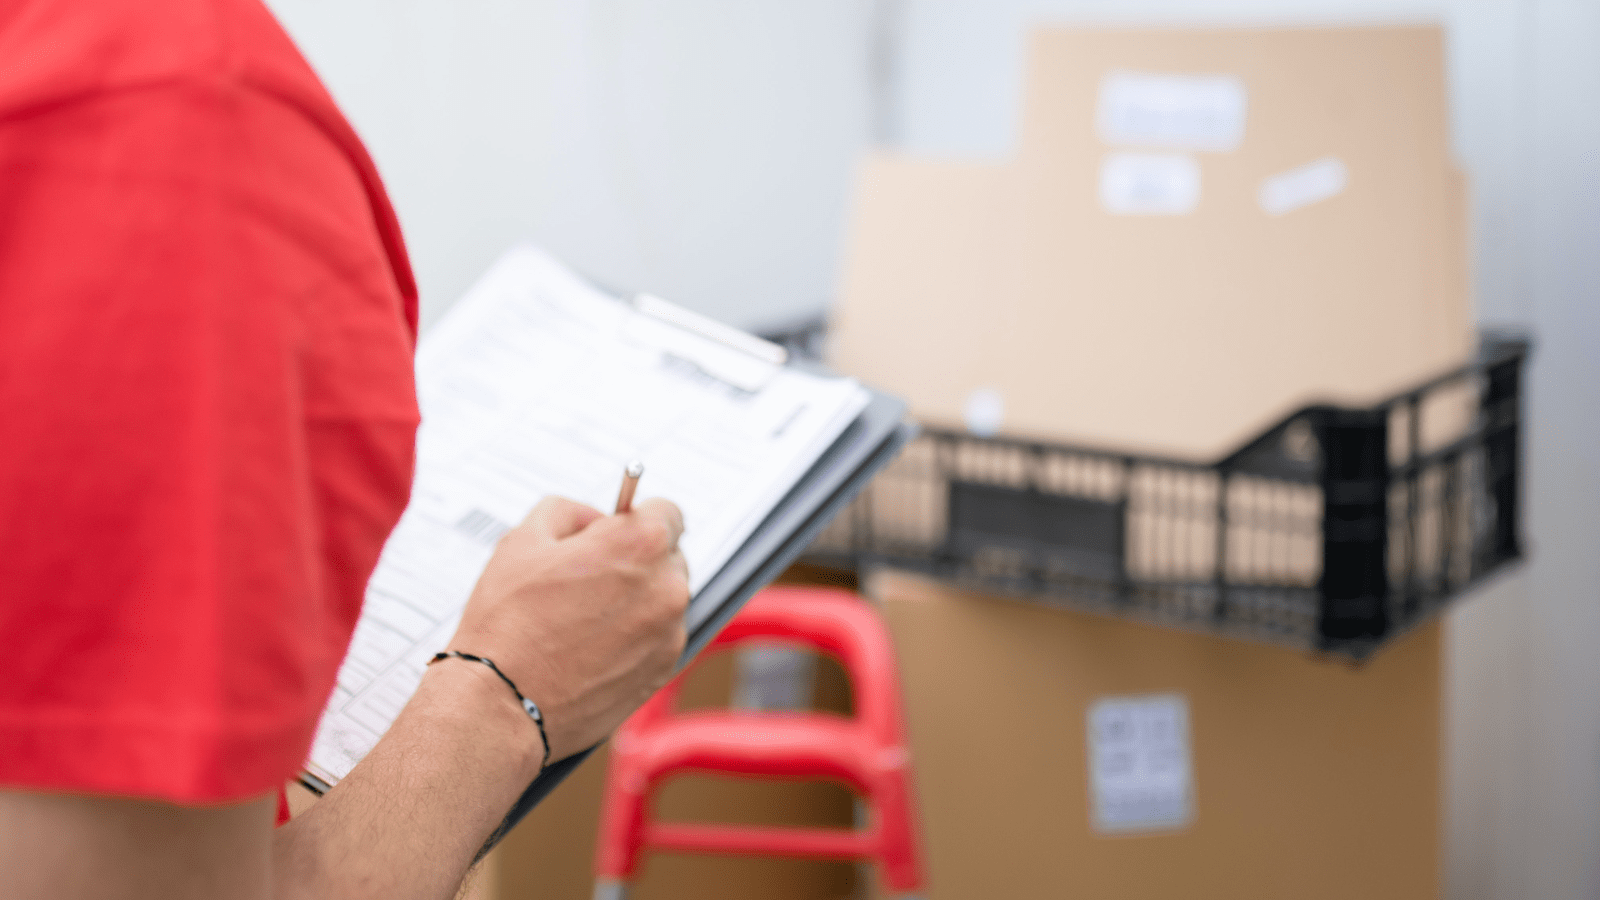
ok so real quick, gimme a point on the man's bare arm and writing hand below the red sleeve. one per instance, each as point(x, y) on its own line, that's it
point(585, 613)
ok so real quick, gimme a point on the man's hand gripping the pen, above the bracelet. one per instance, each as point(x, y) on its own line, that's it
point(585, 613)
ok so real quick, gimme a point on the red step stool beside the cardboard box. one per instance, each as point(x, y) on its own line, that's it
point(866, 753)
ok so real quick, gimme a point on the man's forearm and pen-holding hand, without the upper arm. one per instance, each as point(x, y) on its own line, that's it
point(585, 613)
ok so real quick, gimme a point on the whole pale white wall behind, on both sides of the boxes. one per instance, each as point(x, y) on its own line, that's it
point(703, 150)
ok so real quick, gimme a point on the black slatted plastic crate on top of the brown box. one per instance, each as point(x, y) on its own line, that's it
point(1335, 531)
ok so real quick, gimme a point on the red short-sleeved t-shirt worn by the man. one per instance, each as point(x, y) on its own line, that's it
point(207, 411)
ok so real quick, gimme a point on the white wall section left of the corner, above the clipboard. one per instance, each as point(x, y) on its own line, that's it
point(700, 148)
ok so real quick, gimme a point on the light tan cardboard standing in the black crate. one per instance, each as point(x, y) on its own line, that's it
point(1180, 334)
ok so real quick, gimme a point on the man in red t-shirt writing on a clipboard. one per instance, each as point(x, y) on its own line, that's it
point(207, 323)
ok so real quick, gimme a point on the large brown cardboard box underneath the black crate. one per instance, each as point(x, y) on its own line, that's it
point(1311, 779)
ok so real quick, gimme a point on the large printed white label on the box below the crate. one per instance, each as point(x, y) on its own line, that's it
point(1140, 769)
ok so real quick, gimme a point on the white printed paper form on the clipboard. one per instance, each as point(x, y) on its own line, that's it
point(538, 385)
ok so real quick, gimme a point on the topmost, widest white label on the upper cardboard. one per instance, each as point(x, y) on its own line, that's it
point(1191, 113)
